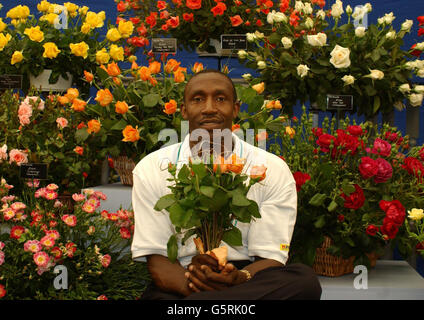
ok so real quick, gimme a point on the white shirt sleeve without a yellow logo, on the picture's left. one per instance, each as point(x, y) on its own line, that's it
point(152, 228)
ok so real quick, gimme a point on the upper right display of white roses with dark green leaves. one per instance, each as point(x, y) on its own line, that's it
point(311, 52)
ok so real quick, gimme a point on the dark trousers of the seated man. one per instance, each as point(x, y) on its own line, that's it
point(294, 281)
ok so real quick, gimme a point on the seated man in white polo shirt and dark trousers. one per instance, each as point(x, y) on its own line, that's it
point(257, 269)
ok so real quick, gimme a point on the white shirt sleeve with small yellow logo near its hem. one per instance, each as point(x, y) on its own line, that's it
point(269, 236)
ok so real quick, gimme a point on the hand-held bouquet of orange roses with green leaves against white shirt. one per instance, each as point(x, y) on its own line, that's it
point(205, 200)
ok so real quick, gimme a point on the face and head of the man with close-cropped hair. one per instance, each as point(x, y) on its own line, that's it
point(209, 103)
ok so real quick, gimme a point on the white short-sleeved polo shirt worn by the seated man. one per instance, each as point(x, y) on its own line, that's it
point(266, 237)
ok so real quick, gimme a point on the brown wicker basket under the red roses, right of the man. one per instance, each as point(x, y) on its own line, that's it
point(331, 266)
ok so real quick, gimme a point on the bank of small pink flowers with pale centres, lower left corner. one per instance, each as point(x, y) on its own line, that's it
point(42, 239)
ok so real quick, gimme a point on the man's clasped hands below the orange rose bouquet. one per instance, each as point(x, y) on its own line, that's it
point(207, 279)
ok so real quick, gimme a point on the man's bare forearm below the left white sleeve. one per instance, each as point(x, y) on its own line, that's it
point(168, 276)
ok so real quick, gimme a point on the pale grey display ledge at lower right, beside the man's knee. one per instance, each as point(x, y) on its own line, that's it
point(389, 280)
